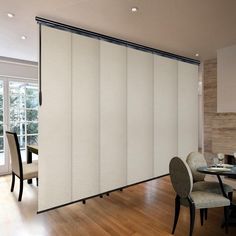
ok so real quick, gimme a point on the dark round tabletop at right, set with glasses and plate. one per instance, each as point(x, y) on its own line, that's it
point(218, 171)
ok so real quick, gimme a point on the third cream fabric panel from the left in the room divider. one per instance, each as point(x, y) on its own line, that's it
point(113, 116)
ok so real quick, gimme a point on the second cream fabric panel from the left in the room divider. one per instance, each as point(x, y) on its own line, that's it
point(85, 117)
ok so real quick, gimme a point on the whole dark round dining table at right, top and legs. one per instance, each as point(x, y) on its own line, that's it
point(219, 171)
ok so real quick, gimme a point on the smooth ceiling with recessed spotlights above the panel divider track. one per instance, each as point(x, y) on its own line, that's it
point(183, 27)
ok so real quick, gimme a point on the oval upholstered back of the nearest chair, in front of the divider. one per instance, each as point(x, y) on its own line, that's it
point(181, 177)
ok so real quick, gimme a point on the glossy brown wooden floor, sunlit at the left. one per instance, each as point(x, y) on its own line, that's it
point(144, 209)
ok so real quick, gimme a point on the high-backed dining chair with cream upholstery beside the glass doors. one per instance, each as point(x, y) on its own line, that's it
point(22, 170)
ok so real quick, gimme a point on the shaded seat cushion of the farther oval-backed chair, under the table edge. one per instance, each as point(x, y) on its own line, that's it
point(212, 187)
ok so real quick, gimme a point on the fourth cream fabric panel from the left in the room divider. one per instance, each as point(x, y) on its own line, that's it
point(140, 117)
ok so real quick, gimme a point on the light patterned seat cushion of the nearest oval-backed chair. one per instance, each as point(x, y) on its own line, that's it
point(206, 200)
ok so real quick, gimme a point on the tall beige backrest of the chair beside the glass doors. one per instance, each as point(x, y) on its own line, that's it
point(14, 152)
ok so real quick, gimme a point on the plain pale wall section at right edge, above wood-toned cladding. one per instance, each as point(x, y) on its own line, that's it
point(226, 79)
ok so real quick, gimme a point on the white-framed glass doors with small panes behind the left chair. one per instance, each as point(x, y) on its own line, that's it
point(18, 113)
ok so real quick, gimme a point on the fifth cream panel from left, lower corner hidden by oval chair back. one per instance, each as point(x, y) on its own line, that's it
point(166, 113)
